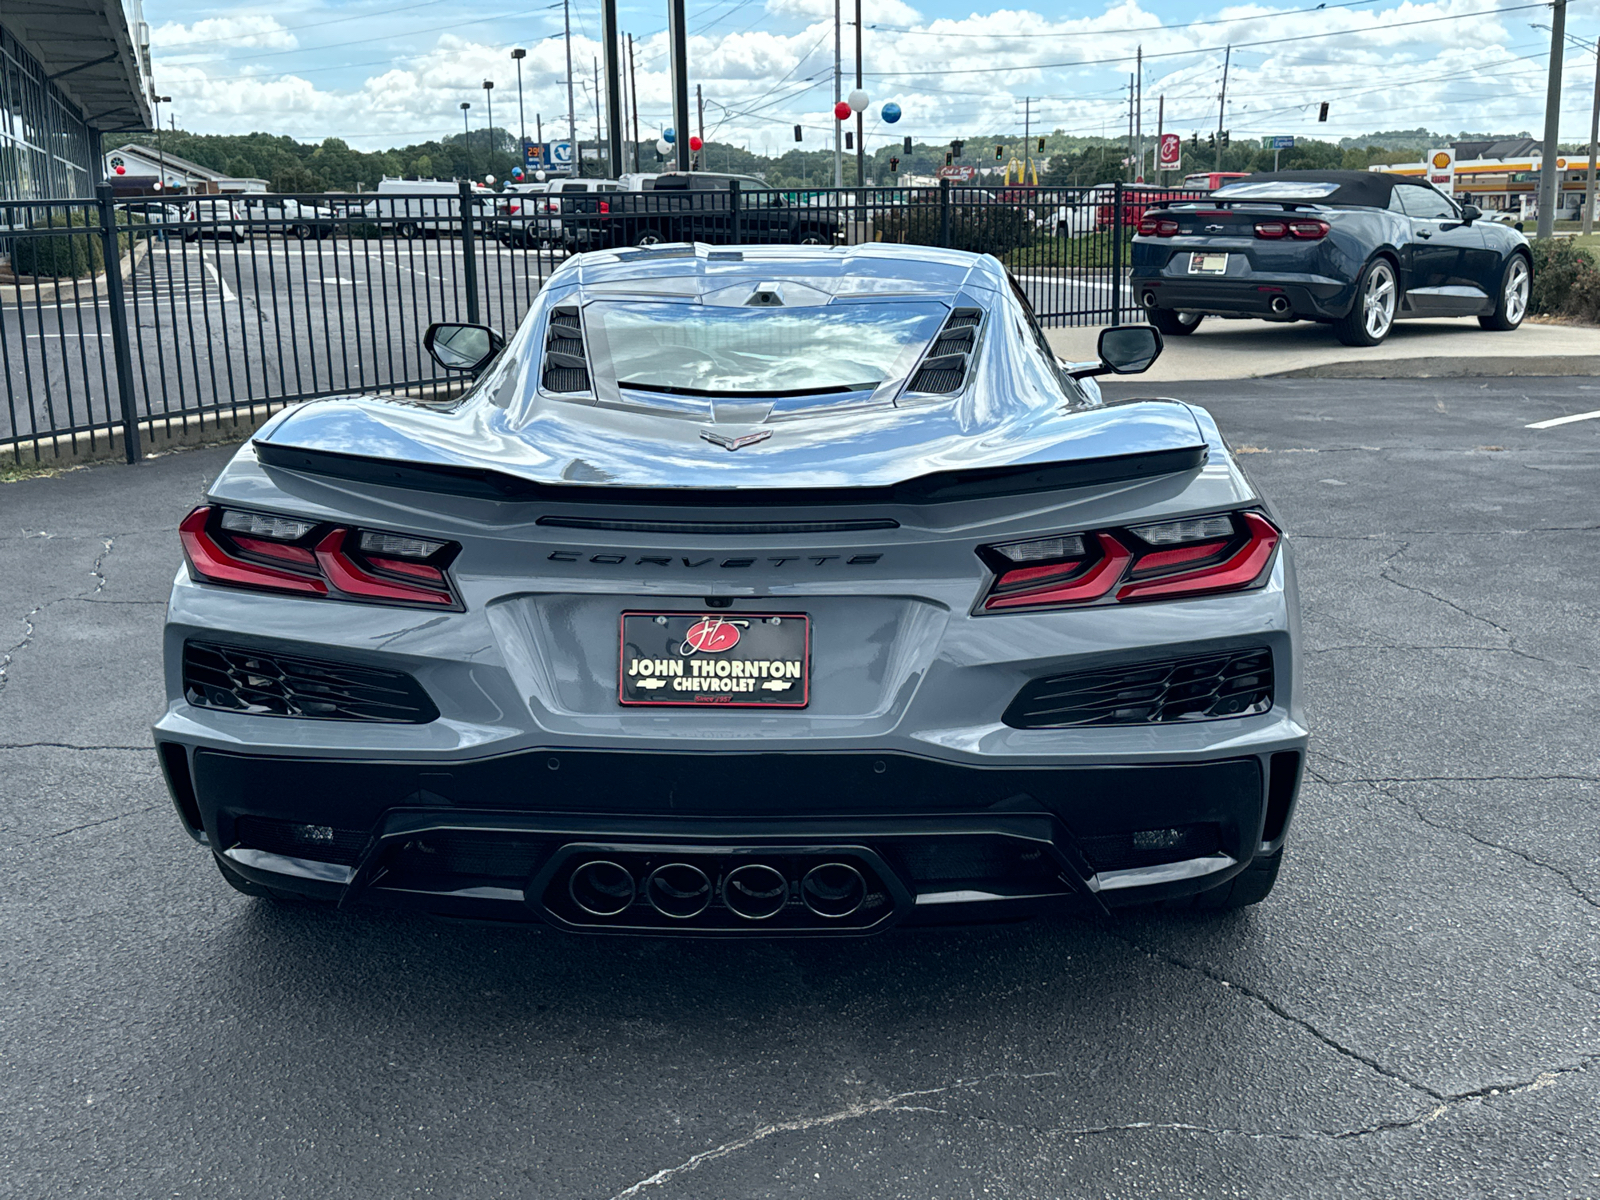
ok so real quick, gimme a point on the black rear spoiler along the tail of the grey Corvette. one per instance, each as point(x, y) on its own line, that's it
point(938, 489)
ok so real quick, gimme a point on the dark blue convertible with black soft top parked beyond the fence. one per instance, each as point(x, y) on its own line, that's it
point(1356, 250)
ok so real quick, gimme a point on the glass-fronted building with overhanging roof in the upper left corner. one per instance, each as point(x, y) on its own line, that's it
point(70, 71)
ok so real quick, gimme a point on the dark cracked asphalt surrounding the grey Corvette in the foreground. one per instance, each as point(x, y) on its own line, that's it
point(1414, 1014)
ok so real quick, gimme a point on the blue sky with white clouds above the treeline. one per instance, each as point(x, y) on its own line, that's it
point(393, 73)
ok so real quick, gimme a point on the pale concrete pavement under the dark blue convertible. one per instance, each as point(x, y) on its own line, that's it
point(1415, 350)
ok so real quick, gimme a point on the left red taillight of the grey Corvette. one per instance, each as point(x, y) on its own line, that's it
point(286, 554)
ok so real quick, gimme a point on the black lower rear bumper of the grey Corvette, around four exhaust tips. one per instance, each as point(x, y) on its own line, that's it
point(935, 842)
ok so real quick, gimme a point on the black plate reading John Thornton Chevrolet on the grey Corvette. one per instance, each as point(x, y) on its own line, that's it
point(754, 662)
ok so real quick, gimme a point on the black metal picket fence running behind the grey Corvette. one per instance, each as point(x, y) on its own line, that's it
point(122, 321)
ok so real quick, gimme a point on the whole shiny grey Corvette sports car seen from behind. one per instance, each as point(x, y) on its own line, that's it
point(767, 591)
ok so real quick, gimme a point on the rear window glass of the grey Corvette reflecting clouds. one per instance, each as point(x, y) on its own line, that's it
point(694, 350)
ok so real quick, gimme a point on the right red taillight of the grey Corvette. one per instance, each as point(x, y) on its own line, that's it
point(1194, 556)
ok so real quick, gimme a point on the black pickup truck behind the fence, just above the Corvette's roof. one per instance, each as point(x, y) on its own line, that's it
point(694, 207)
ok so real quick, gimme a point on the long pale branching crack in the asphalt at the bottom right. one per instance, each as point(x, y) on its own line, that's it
point(900, 1103)
